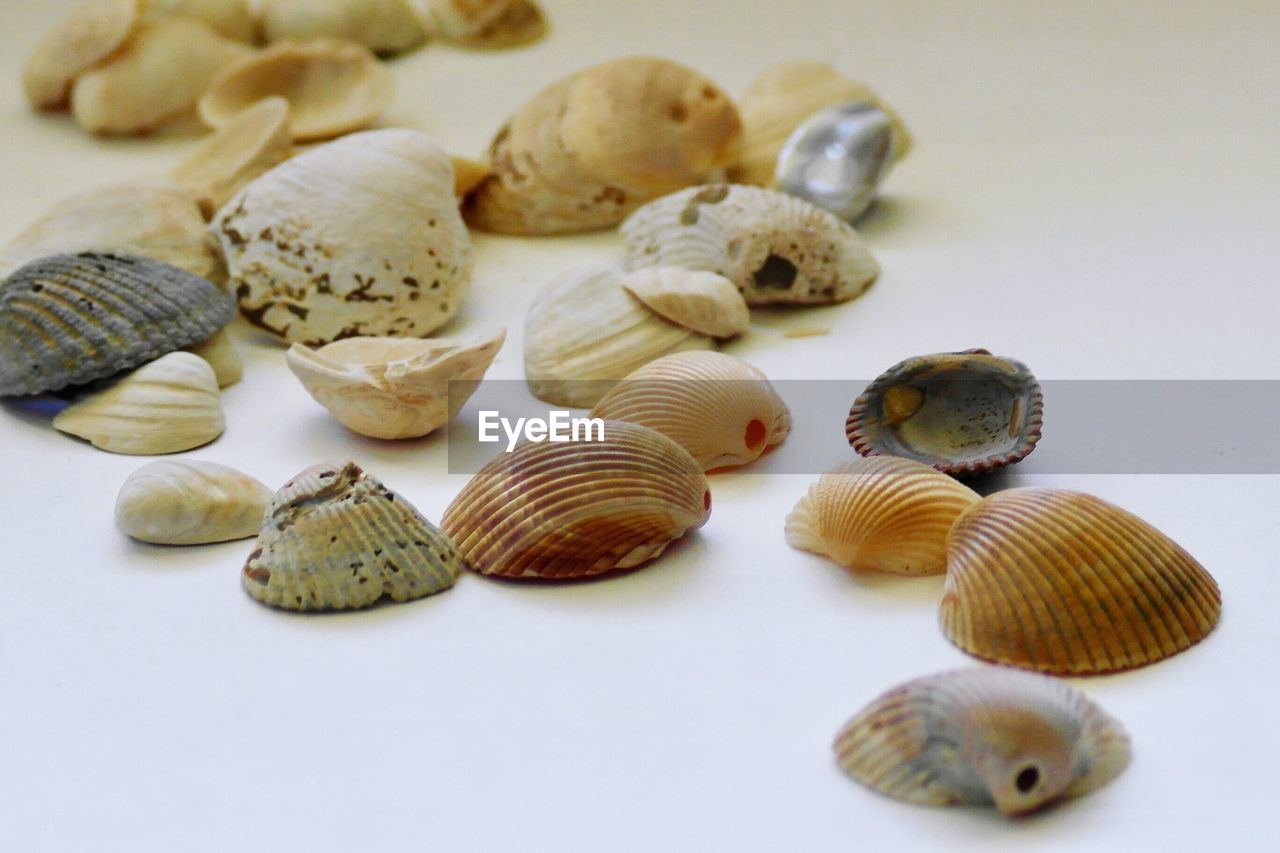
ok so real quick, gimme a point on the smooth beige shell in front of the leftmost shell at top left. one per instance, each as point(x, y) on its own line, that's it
point(157, 76)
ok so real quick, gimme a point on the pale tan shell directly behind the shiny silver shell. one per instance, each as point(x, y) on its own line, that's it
point(781, 99)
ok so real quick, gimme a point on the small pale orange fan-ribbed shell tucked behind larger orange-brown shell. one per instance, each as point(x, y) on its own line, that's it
point(881, 514)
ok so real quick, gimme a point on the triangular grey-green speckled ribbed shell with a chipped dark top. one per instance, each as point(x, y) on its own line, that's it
point(336, 539)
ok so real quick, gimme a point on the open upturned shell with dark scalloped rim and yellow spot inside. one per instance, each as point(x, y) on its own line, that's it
point(962, 413)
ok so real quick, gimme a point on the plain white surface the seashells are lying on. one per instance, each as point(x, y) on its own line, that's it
point(1094, 191)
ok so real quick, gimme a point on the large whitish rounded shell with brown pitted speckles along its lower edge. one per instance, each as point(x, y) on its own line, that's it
point(358, 238)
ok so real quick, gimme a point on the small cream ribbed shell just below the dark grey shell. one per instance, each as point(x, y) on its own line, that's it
point(167, 407)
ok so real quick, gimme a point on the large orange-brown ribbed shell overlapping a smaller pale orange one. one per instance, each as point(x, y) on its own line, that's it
point(1063, 582)
